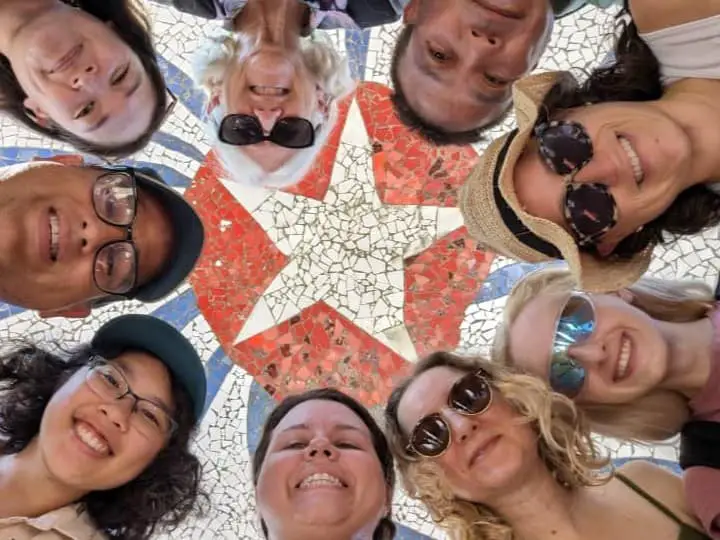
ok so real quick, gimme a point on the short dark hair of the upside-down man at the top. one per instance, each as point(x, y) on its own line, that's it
point(428, 131)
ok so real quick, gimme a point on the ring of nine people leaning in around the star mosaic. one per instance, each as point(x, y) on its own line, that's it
point(95, 439)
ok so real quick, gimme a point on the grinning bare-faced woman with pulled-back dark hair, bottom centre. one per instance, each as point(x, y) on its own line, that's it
point(323, 470)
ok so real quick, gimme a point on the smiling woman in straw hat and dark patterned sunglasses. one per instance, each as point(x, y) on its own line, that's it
point(598, 172)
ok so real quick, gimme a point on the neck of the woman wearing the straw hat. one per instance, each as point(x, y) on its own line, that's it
point(692, 103)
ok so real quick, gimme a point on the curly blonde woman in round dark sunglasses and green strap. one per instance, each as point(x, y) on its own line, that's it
point(495, 454)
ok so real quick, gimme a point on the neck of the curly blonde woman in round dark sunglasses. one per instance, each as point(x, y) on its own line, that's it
point(539, 508)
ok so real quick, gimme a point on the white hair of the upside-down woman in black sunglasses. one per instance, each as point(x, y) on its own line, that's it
point(332, 75)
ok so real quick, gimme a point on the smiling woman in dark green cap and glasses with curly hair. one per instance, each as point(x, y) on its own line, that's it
point(95, 443)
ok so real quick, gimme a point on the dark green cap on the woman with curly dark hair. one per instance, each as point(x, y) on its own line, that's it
point(161, 340)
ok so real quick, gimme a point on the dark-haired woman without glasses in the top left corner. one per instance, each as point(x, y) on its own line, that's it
point(83, 72)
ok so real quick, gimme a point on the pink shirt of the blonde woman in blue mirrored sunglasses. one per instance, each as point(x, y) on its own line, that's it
point(702, 484)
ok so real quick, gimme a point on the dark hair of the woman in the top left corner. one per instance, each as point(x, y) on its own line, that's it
point(132, 26)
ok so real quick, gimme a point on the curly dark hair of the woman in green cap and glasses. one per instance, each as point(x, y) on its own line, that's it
point(164, 494)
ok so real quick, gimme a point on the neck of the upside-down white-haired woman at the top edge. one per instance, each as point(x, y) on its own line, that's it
point(273, 22)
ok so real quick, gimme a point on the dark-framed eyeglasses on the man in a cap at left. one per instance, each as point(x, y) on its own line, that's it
point(114, 196)
